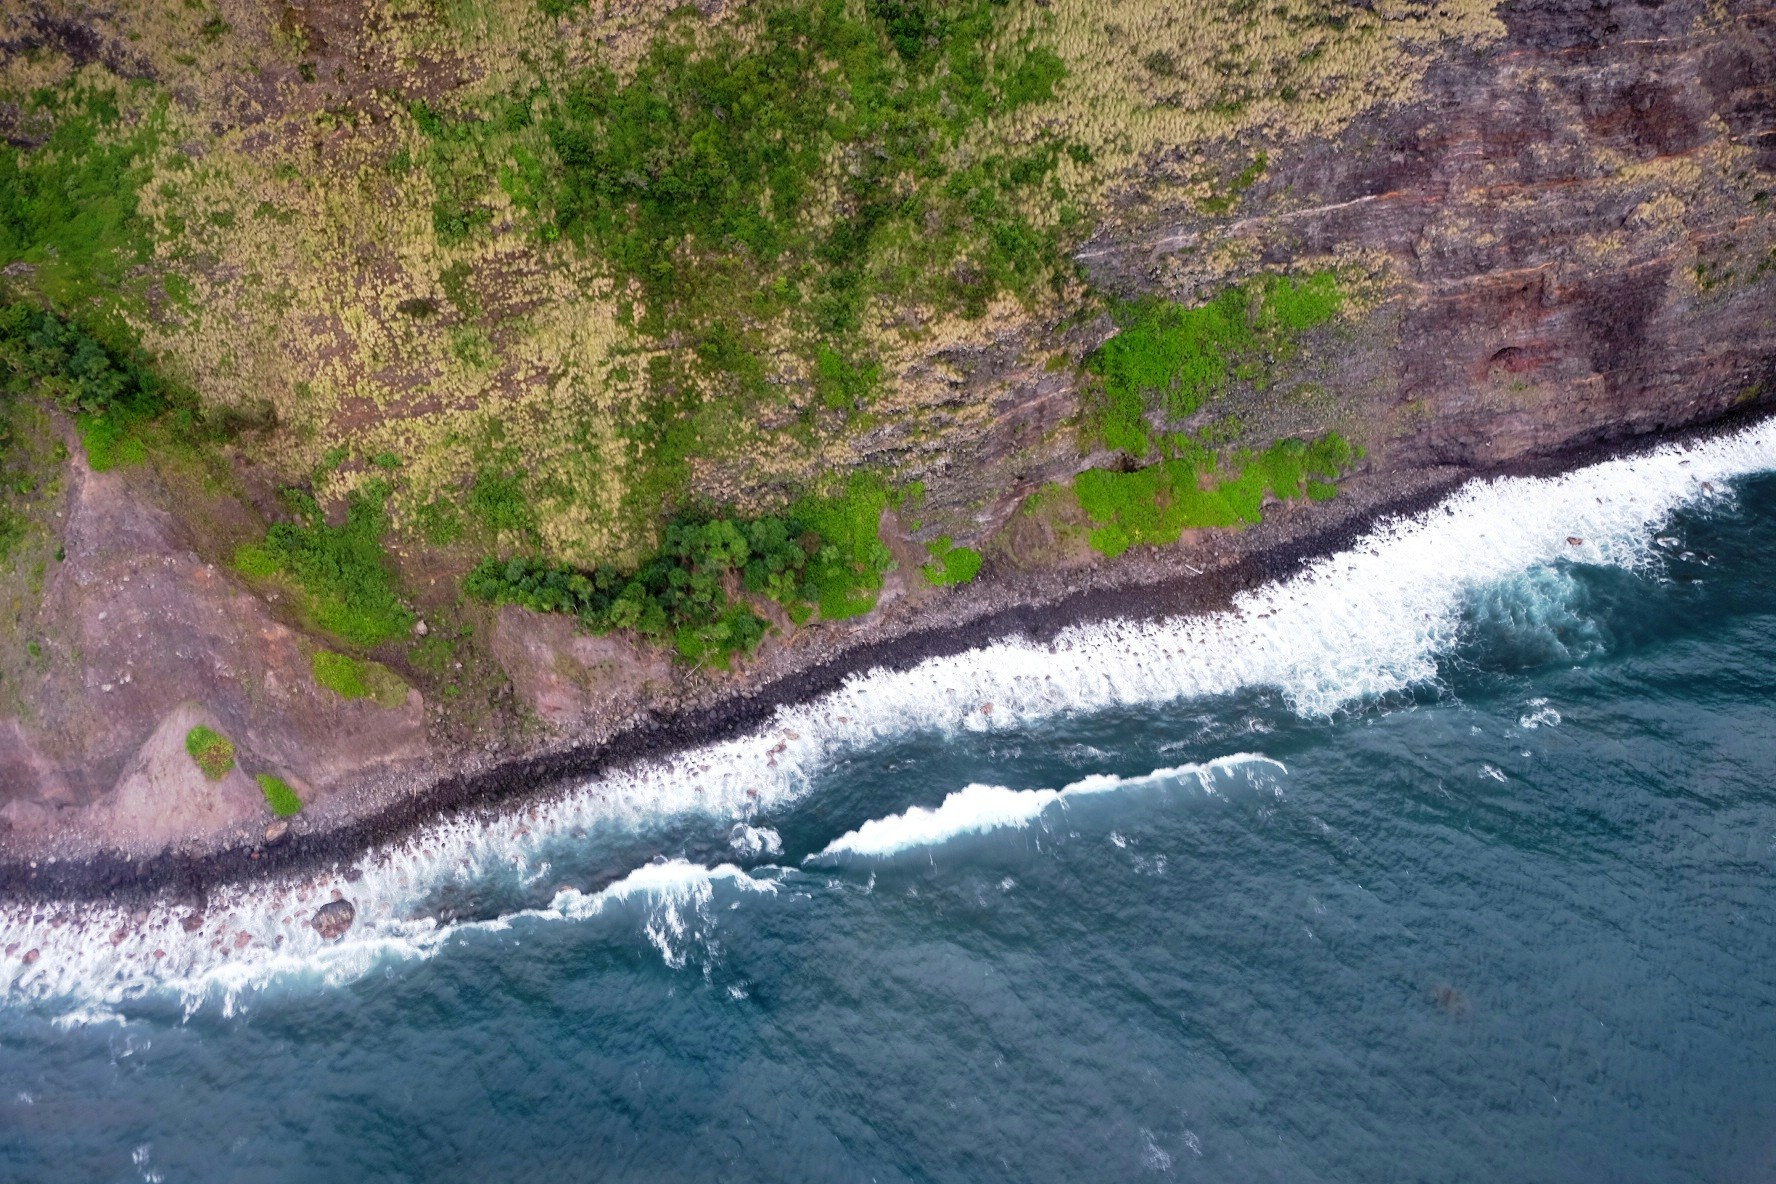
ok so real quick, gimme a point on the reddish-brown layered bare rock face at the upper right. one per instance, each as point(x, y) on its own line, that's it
point(1571, 232)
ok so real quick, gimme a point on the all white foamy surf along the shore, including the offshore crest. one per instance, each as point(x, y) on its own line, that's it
point(1361, 624)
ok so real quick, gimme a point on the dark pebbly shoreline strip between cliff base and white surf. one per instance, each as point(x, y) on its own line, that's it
point(1136, 592)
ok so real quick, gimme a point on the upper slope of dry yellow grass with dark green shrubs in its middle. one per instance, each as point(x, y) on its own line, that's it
point(630, 257)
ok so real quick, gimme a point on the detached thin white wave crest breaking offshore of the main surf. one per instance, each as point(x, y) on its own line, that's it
point(981, 809)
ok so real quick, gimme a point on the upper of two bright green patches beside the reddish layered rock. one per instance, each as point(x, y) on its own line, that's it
point(1171, 359)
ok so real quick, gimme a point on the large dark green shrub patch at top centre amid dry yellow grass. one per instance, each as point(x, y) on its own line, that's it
point(713, 161)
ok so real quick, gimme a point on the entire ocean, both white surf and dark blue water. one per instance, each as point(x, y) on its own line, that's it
point(1452, 858)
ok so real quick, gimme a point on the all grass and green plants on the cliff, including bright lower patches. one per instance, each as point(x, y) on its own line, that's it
point(514, 278)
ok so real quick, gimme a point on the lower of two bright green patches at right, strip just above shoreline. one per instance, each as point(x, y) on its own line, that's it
point(1155, 505)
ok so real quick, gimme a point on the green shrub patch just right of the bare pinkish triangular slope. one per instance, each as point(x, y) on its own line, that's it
point(342, 571)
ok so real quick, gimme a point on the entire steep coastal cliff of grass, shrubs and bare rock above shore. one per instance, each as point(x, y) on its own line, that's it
point(988, 306)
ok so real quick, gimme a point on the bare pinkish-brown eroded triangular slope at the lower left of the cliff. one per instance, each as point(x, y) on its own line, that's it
point(143, 642)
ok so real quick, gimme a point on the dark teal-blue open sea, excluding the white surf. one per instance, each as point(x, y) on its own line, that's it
point(1510, 926)
